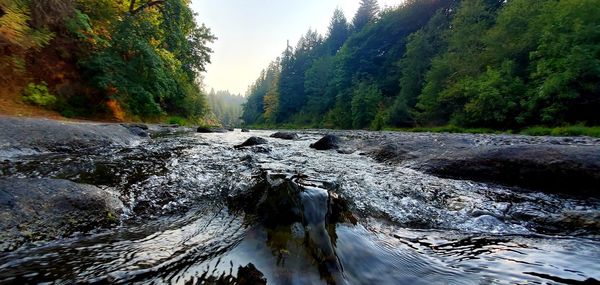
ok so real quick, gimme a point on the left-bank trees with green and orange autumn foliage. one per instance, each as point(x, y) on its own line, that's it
point(129, 59)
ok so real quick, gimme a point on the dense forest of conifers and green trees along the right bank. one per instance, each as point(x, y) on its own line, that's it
point(472, 63)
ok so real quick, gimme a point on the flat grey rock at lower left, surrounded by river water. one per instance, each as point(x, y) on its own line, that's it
point(41, 209)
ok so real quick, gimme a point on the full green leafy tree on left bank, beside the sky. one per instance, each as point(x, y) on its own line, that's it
point(152, 62)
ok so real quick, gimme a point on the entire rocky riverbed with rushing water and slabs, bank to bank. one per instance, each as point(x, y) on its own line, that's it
point(131, 203)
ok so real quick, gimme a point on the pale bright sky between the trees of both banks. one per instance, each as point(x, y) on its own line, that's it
point(254, 32)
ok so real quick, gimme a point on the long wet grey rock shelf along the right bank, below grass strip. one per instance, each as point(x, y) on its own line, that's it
point(556, 165)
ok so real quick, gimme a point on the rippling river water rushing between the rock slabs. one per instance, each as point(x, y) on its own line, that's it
point(192, 219)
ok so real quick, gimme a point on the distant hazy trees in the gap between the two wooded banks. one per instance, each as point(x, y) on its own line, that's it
point(226, 107)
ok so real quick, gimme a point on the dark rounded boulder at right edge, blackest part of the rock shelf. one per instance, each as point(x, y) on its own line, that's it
point(549, 168)
